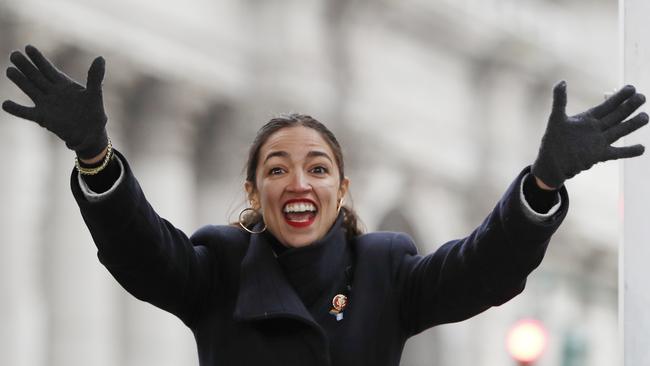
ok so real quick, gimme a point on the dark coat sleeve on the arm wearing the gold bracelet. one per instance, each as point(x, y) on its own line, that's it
point(149, 257)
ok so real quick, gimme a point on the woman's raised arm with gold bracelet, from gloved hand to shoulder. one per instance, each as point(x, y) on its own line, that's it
point(152, 259)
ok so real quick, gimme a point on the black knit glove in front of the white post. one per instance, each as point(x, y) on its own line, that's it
point(573, 144)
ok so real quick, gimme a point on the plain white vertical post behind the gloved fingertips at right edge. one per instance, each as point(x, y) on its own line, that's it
point(634, 296)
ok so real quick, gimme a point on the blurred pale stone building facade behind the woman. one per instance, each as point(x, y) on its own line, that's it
point(438, 105)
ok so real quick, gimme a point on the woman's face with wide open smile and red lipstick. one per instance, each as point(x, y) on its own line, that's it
point(298, 186)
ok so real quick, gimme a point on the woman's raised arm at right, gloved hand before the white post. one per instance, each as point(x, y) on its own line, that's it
point(487, 268)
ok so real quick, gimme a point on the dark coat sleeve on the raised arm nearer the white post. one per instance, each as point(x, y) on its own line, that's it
point(467, 276)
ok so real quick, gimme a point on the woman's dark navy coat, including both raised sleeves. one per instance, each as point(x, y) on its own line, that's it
point(247, 307)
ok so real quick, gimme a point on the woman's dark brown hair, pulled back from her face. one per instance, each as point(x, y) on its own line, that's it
point(351, 222)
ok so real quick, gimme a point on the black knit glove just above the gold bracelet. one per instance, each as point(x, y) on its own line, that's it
point(71, 111)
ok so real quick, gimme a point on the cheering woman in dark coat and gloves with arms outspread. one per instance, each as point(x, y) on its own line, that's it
point(296, 282)
